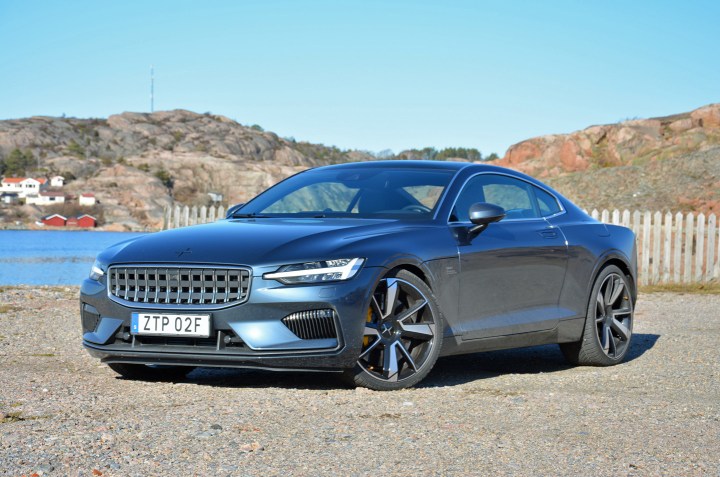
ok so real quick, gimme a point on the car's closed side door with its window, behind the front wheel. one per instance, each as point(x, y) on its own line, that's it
point(512, 273)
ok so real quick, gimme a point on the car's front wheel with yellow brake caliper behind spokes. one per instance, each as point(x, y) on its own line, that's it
point(403, 335)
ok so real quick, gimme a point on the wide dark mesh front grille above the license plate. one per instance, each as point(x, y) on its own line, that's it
point(179, 285)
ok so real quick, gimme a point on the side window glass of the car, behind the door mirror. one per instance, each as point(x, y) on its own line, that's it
point(519, 199)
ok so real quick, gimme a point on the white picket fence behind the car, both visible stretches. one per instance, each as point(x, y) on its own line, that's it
point(672, 248)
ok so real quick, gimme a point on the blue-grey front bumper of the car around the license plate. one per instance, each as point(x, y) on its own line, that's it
point(250, 334)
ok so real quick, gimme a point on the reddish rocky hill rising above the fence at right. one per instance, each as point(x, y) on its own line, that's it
point(668, 163)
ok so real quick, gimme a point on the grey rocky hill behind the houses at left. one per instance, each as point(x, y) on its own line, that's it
point(136, 164)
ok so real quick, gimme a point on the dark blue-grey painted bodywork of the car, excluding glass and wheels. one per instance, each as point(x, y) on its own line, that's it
point(517, 283)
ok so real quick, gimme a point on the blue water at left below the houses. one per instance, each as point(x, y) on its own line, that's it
point(39, 257)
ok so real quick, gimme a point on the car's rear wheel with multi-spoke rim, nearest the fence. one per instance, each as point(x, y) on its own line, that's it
point(608, 323)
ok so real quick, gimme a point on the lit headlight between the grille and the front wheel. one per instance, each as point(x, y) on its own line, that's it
point(316, 272)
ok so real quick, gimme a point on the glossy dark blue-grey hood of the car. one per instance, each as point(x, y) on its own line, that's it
point(254, 242)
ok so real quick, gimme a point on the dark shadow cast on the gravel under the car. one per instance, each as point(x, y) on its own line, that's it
point(448, 371)
